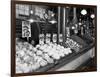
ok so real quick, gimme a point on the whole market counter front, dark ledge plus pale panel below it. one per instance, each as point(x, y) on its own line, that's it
point(70, 62)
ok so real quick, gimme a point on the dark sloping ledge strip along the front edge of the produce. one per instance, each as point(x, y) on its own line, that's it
point(63, 61)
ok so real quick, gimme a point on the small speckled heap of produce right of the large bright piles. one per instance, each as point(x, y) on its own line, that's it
point(73, 45)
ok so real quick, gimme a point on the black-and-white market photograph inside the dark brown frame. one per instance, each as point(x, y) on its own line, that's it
point(54, 38)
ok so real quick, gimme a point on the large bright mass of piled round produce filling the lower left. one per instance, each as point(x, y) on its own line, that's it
point(29, 58)
